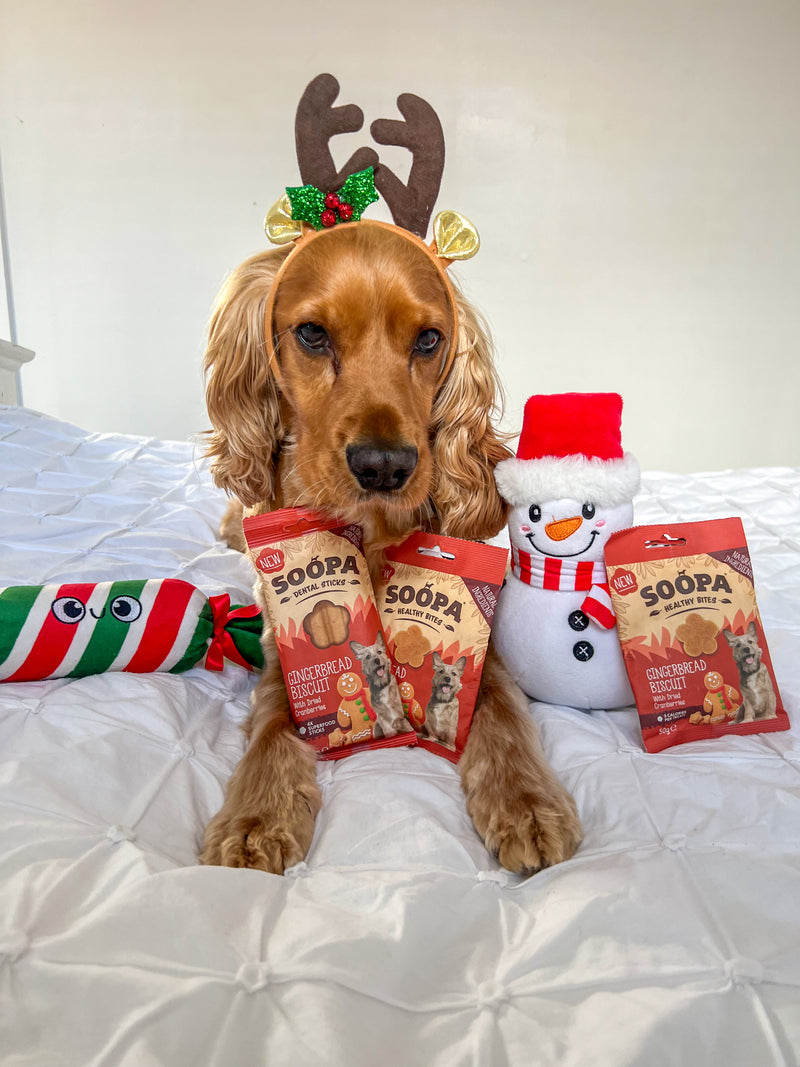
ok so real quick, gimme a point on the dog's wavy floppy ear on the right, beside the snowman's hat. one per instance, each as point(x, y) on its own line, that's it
point(467, 447)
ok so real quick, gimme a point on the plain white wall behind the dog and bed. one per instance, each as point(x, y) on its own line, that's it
point(633, 168)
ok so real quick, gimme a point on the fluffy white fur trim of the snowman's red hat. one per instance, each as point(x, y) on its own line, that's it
point(588, 480)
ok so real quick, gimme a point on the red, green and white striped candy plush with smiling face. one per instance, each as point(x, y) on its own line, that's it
point(74, 630)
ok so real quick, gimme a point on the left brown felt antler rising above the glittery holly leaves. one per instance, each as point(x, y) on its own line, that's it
point(316, 122)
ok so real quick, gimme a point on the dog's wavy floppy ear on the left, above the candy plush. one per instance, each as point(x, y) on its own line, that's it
point(243, 399)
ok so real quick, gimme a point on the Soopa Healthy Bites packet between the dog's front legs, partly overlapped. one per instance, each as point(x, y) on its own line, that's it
point(437, 597)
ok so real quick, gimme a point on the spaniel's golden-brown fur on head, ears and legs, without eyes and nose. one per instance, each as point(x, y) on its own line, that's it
point(284, 443)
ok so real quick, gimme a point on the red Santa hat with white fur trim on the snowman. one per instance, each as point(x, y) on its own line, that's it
point(570, 449)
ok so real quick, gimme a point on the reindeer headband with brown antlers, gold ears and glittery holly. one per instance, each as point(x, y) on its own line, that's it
point(330, 199)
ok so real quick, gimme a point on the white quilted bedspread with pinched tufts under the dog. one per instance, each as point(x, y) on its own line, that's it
point(673, 937)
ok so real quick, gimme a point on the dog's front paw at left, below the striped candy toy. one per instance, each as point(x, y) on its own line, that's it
point(254, 841)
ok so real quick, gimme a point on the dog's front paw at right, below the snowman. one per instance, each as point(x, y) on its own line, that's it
point(529, 833)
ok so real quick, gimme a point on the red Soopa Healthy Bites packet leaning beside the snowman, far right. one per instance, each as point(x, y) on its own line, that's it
point(692, 636)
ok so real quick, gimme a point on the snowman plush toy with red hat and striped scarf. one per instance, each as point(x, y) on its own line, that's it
point(570, 488)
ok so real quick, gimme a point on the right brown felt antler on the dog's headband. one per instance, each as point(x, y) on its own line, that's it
point(412, 204)
